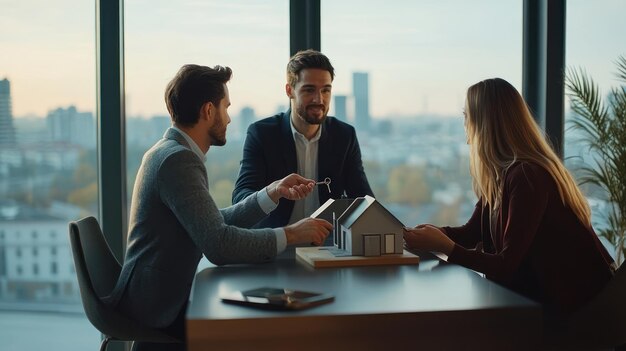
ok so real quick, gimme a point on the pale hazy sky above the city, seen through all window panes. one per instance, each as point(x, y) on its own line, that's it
point(417, 62)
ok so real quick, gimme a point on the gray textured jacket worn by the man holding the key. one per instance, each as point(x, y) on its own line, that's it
point(173, 221)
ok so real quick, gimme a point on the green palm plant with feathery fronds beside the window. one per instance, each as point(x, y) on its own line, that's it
point(602, 124)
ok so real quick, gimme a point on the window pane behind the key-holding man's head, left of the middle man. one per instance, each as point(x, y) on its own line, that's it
point(251, 37)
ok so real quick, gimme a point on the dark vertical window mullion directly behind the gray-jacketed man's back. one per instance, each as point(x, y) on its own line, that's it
point(111, 123)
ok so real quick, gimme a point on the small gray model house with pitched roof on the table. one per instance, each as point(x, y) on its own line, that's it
point(362, 227)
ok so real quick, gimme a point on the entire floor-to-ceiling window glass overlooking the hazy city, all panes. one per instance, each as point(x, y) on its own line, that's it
point(402, 71)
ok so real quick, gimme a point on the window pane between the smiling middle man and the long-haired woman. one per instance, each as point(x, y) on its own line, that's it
point(402, 72)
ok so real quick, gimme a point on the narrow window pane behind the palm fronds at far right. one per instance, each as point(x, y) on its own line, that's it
point(594, 32)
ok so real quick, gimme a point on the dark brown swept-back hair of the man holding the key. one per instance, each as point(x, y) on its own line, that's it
point(192, 87)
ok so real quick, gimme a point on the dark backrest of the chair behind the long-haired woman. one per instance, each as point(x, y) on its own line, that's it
point(602, 322)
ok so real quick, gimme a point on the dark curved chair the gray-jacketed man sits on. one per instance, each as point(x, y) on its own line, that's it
point(98, 270)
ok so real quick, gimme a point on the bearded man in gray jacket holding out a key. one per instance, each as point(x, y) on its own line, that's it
point(174, 220)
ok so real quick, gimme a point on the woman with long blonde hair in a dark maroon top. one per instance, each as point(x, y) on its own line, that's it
point(531, 228)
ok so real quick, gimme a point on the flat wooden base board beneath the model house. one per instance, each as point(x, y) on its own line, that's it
point(321, 257)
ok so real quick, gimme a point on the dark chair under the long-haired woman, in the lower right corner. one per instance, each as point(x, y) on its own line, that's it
point(599, 324)
